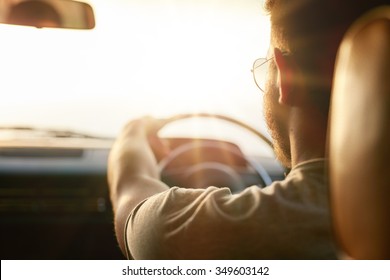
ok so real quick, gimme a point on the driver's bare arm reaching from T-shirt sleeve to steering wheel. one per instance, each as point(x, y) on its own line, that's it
point(132, 172)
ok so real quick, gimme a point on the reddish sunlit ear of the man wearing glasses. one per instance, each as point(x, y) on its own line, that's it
point(286, 71)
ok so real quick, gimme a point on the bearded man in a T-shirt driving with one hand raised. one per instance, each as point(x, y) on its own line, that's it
point(286, 220)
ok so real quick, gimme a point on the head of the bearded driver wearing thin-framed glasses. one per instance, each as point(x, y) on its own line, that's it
point(305, 35)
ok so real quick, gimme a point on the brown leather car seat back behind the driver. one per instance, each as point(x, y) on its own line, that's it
point(359, 139)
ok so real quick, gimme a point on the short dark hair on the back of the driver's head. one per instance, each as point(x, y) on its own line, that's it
point(312, 31)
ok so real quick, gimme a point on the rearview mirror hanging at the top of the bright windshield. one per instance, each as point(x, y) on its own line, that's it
point(47, 13)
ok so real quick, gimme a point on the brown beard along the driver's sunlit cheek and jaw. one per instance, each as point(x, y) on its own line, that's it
point(276, 117)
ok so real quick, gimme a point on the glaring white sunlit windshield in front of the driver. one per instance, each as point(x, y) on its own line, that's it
point(144, 57)
